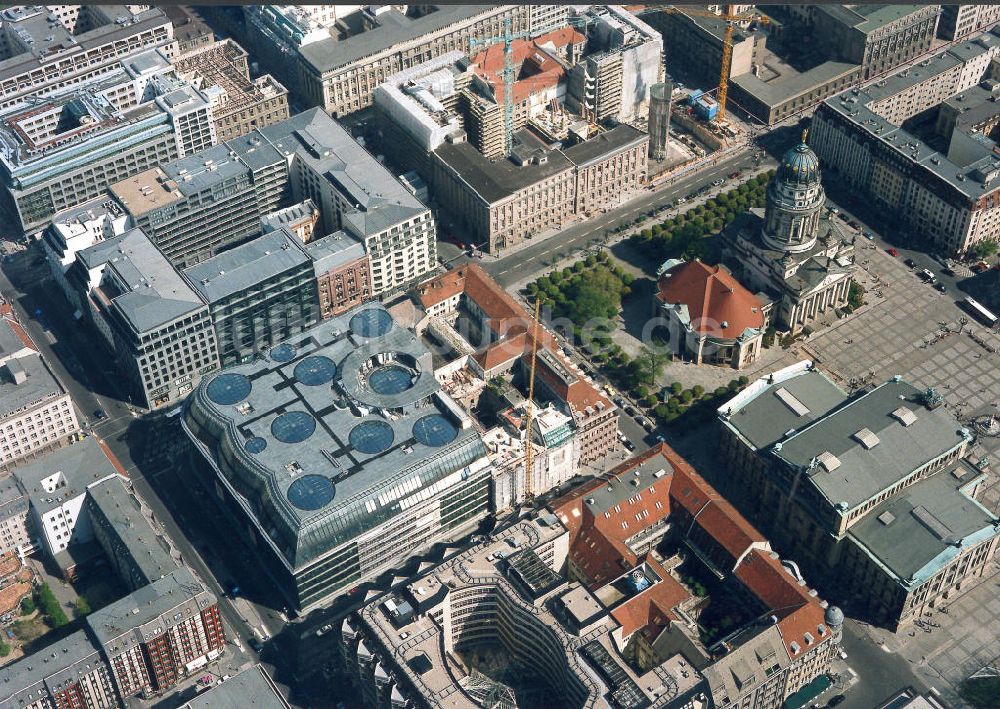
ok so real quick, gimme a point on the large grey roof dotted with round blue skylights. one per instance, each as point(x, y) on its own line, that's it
point(335, 417)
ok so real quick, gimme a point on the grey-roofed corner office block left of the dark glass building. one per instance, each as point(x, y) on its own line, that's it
point(156, 326)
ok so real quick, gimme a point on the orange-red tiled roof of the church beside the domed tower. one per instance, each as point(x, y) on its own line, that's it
point(712, 297)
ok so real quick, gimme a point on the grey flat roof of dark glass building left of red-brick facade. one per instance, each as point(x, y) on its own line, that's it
point(244, 267)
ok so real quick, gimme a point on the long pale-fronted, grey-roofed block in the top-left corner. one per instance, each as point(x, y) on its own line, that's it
point(46, 48)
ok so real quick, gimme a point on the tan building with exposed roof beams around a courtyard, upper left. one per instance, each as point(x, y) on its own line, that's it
point(239, 105)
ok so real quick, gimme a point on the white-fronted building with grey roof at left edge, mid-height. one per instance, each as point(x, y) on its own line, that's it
point(36, 412)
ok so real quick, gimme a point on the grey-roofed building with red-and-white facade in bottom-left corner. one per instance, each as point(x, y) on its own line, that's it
point(76, 675)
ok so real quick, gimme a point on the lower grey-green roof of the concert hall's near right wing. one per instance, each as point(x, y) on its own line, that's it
point(914, 533)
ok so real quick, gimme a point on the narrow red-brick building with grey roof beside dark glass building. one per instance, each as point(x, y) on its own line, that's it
point(343, 273)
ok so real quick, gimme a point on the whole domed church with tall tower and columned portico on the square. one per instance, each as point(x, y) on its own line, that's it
point(791, 251)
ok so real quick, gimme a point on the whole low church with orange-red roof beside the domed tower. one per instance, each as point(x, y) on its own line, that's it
point(717, 320)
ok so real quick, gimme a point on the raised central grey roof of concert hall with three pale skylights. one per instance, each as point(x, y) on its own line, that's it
point(872, 448)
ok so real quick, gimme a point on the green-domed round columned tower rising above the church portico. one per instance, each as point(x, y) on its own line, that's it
point(795, 199)
